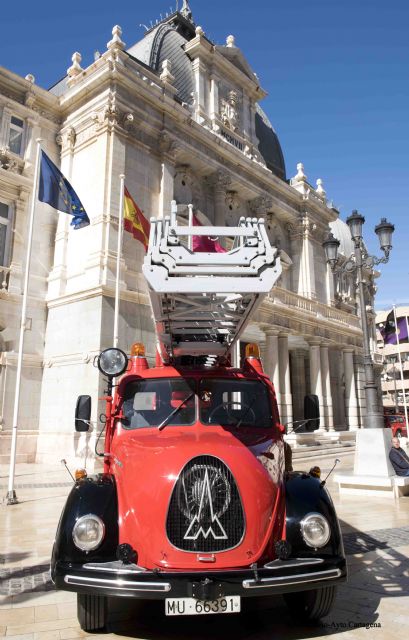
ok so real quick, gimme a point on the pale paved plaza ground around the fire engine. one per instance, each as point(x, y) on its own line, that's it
point(374, 603)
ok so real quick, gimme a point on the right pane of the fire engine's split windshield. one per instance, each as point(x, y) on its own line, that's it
point(235, 403)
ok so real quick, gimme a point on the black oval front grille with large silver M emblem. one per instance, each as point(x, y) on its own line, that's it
point(205, 510)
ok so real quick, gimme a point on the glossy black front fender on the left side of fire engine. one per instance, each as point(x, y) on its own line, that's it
point(97, 495)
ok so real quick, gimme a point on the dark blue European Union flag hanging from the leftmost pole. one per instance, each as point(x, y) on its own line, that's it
point(55, 189)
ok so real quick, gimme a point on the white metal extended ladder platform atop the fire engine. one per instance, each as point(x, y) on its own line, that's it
point(201, 302)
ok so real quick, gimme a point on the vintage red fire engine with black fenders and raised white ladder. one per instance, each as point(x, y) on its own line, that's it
point(195, 506)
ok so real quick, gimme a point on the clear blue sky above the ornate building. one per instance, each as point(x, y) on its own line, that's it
point(336, 74)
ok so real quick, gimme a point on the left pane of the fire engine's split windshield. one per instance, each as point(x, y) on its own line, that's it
point(148, 403)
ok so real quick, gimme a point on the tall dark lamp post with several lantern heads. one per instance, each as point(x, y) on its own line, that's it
point(355, 264)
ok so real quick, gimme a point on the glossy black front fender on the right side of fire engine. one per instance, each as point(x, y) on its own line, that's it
point(306, 494)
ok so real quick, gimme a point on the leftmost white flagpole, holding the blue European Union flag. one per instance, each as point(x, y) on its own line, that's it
point(11, 497)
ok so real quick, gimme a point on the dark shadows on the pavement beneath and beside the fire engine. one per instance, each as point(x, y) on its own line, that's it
point(376, 572)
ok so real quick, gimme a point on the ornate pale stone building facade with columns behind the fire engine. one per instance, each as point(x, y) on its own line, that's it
point(180, 117)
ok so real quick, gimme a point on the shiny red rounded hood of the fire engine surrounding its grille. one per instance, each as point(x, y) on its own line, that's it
point(147, 465)
